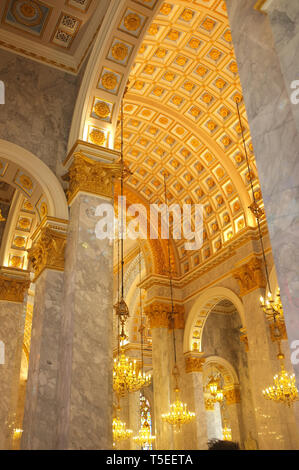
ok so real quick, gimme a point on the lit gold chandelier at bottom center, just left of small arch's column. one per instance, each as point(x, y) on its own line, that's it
point(178, 414)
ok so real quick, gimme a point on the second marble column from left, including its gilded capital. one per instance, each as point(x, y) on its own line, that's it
point(47, 261)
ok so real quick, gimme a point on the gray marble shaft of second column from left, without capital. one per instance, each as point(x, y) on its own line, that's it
point(40, 414)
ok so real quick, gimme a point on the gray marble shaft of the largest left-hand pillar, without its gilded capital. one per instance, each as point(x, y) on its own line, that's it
point(85, 380)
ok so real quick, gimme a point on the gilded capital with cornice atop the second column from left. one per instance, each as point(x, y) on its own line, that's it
point(48, 246)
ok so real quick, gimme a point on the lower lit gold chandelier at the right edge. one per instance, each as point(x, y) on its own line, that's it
point(284, 389)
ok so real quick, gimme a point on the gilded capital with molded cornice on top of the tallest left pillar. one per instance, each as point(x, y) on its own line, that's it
point(91, 169)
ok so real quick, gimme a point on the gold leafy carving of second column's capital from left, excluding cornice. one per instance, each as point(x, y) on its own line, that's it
point(47, 251)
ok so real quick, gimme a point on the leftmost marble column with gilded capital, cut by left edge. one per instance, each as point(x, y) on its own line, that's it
point(13, 290)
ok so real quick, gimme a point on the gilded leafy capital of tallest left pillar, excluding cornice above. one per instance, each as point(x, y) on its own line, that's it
point(90, 176)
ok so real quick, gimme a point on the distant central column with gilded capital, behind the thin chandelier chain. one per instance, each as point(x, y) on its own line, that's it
point(158, 313)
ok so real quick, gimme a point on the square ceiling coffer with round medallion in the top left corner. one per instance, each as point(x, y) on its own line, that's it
point(27, 15)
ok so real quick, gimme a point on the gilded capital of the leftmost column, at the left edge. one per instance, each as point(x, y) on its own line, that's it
point(14, 284)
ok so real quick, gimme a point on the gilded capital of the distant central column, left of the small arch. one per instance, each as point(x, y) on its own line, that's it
point(159, 314)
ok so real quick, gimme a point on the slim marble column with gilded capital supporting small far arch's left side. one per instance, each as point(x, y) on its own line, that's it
point(195, 433)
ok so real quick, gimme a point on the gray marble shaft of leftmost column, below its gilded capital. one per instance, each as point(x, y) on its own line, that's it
point(12, 320)
